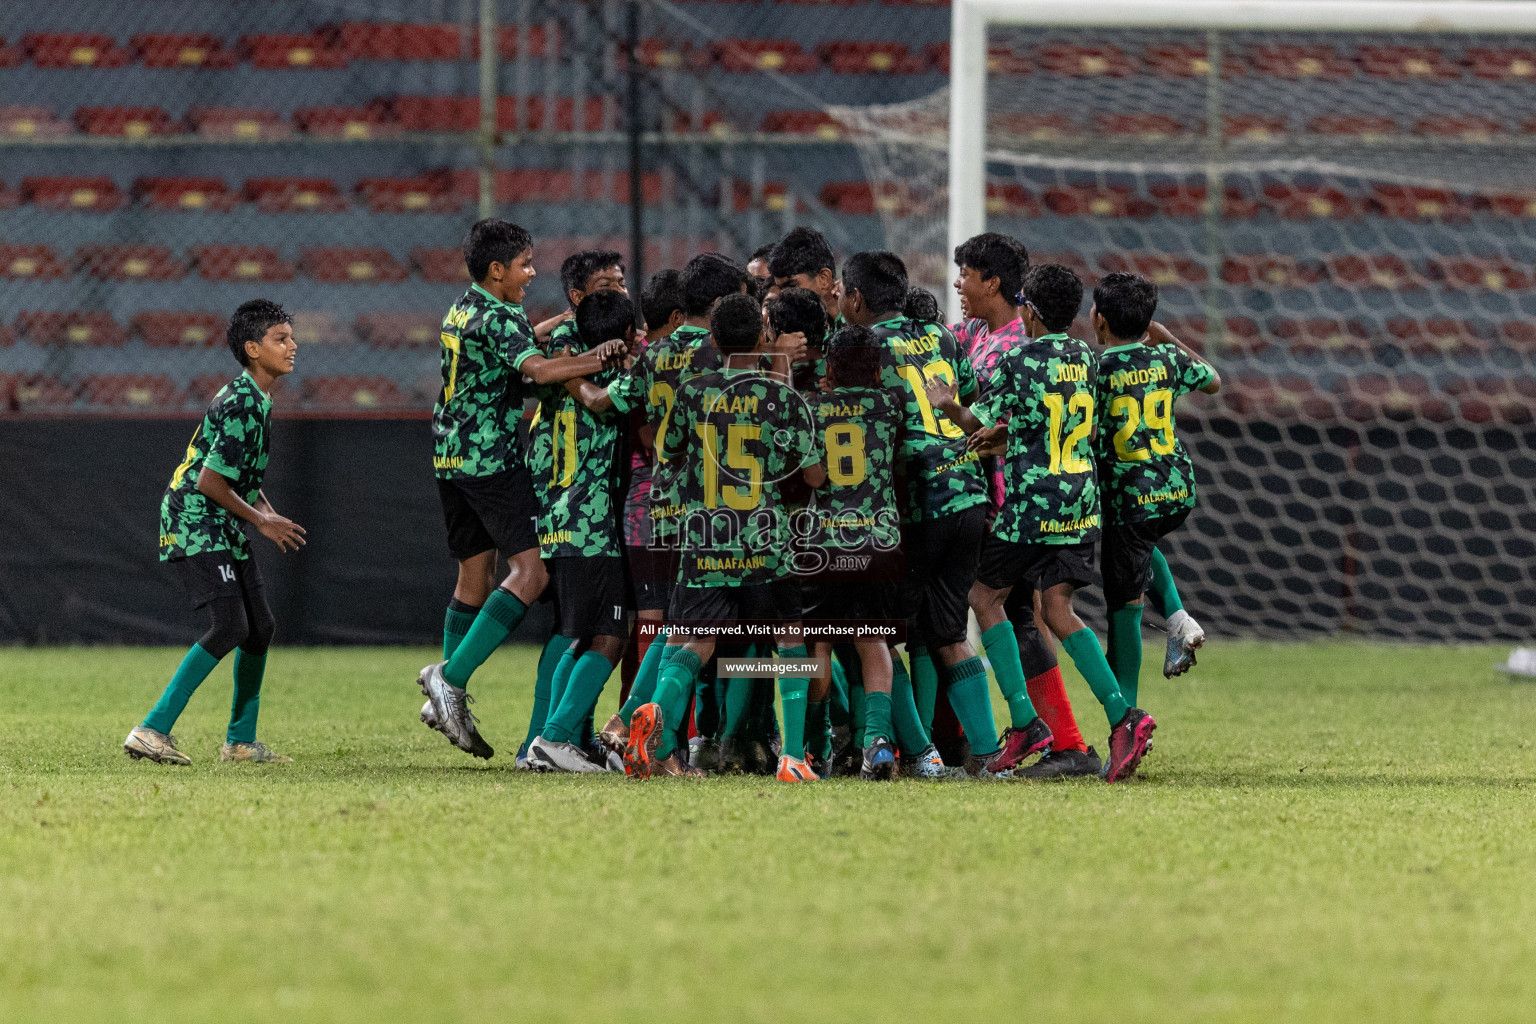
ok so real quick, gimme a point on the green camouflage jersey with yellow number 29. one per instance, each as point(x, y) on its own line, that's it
point(1144, 467)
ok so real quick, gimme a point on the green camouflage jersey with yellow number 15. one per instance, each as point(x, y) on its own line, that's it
point(735, 435)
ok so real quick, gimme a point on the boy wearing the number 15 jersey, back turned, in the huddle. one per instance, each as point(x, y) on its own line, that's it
point(735, 435)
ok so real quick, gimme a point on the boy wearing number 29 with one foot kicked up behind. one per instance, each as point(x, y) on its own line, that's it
point(1145, 477)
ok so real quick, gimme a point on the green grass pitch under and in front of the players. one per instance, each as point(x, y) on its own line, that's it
point(1325, 833)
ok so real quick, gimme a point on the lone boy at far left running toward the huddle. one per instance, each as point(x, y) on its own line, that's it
point(211, 492)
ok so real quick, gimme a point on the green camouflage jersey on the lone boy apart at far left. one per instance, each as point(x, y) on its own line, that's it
point(233, 441)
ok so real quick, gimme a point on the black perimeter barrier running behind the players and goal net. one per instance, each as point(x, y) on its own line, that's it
point(1302, 532)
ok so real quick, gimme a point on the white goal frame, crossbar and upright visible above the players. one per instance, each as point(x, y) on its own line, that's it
point(970, 19)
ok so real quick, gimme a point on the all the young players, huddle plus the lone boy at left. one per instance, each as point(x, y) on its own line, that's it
point(781, 461)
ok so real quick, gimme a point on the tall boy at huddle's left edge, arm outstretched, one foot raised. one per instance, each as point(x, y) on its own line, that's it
point(483, 478)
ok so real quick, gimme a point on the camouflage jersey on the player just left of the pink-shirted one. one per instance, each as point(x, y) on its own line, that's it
point(942, 477)
